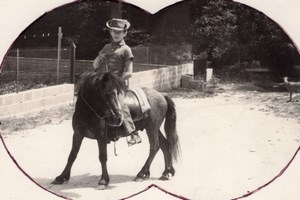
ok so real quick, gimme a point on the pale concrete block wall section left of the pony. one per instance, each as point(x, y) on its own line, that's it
point(35, 100)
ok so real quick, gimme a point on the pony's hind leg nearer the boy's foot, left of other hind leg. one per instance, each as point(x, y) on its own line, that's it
point(154, 147)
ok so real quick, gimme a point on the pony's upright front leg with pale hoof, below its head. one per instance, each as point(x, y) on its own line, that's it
point(104, 181)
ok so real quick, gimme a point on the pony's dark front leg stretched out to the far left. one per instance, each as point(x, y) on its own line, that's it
point(65, 175)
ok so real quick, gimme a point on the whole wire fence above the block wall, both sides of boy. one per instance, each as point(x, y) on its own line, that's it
point(25, 69)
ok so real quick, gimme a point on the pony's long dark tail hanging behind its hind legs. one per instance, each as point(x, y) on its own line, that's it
point(170, 129)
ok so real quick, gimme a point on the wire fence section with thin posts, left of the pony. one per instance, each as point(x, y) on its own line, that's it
point(34, 68)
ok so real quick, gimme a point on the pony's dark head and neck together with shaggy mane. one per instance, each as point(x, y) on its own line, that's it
point(102, 94)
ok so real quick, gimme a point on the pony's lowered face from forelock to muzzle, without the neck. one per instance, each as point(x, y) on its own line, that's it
point(112, 90)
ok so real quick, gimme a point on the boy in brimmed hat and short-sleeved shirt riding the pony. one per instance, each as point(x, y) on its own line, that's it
point(117, 58)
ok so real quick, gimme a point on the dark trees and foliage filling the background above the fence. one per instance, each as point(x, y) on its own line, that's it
point(223, 31)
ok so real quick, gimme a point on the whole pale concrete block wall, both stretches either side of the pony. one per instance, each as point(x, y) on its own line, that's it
point(38, 99)
